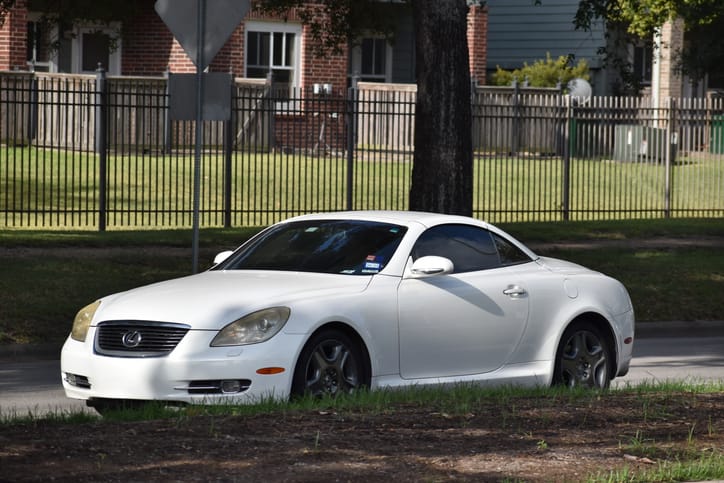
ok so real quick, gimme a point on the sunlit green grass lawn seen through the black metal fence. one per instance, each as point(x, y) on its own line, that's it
point(55, 188)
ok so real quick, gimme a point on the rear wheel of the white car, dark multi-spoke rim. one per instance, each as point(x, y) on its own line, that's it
point(583, 358)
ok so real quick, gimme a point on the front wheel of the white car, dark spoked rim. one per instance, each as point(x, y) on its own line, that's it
point(331, 363)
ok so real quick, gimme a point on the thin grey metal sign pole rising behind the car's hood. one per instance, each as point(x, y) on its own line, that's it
point(200, 23)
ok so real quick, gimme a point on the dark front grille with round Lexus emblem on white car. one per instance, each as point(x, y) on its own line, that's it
point(132, 338)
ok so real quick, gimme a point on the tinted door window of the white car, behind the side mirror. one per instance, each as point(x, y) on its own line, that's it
point(470, 248)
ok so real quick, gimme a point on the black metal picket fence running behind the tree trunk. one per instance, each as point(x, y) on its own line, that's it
point(97, 152)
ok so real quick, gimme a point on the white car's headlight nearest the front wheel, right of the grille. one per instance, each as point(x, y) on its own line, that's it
point(253, 328)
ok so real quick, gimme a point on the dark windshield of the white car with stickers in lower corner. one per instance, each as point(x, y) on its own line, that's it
point(325, 246)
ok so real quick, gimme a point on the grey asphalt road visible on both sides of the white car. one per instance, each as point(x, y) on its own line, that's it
point(33, 386)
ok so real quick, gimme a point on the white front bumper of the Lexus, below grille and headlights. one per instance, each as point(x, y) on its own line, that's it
point(188, 374)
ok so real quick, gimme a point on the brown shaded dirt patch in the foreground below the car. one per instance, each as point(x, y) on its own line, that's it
point(521, 439)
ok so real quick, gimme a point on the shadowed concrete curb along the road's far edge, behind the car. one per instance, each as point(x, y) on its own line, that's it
point(644, 330)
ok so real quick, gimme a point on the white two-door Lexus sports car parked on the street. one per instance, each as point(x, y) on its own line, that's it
point(333, 302)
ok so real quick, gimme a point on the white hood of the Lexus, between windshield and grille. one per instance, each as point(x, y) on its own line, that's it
point(210, 300)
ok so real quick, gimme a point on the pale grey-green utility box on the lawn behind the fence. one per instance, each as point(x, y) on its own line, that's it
point(634, 143)
